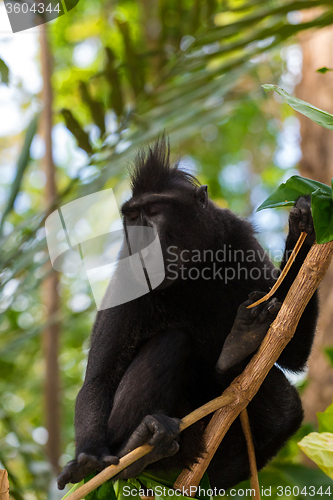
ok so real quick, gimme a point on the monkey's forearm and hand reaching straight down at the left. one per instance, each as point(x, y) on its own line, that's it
point(107, 361)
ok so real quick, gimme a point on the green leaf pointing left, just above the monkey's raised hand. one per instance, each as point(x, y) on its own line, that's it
point(288, 192)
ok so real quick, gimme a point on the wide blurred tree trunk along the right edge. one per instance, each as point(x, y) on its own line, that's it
point(317, 163)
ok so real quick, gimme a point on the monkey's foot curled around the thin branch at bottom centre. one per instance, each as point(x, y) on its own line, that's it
point(158, 431)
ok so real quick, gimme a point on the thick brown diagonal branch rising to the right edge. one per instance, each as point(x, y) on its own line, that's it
point(246, 385)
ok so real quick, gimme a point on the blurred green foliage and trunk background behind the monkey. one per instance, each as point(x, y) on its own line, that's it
point(122, 72)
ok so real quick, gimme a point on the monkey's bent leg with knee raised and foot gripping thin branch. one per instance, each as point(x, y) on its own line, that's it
point(153, 390)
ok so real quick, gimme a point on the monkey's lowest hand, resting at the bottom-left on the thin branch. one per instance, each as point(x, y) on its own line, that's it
point(84, 464)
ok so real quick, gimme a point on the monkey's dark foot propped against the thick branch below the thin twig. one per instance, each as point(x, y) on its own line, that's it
point(248, 331)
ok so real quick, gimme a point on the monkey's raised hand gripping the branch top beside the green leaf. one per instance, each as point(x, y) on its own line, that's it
point(300, 219)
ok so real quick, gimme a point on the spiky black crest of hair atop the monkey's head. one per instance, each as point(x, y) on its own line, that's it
point(152, 172)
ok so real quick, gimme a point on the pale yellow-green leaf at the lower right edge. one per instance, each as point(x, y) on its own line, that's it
point(319, 447)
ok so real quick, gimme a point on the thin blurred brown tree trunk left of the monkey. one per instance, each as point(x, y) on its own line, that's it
point(50, 294)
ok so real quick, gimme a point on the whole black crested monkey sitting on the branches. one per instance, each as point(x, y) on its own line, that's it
point(156, 358)
